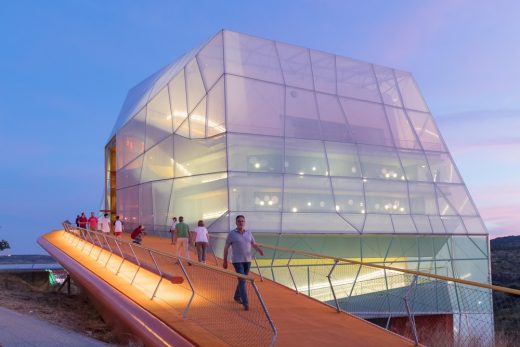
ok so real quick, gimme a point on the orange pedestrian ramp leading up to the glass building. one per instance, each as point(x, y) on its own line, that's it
point(165, 300)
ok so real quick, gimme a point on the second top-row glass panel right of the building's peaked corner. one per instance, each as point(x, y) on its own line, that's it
point(296, 65)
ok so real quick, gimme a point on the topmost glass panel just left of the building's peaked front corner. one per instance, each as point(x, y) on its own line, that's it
point(211, 60)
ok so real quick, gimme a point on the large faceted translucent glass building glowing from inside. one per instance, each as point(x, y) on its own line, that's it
point(320, 152)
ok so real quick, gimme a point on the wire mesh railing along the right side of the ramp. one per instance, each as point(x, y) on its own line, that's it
point(430, 308)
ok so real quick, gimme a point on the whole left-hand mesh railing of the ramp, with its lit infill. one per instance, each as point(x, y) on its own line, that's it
point(200, 293)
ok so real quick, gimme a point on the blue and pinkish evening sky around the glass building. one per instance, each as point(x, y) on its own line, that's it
point(65, 68)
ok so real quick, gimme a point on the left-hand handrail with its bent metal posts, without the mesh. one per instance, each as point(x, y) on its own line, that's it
point(87, 237)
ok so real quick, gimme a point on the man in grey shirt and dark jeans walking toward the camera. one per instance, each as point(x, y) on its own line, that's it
point(241, 240)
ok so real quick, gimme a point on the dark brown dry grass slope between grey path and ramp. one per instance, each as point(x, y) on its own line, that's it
point(36, 298)
